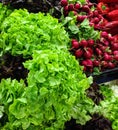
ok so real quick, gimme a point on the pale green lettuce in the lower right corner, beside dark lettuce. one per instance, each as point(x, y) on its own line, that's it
point(109, 106)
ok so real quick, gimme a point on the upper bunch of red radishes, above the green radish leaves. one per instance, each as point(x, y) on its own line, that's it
point(81, 11)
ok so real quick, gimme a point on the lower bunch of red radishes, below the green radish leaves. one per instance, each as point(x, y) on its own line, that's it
point(101, 54)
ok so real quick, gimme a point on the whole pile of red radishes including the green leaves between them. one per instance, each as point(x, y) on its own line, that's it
point(94, 47)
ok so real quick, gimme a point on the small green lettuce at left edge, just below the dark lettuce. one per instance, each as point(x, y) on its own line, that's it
point(10, 89)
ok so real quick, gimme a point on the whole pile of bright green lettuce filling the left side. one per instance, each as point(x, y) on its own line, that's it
point(55, 85)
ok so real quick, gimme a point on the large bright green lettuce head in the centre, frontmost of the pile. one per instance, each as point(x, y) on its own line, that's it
point(61, 84)
